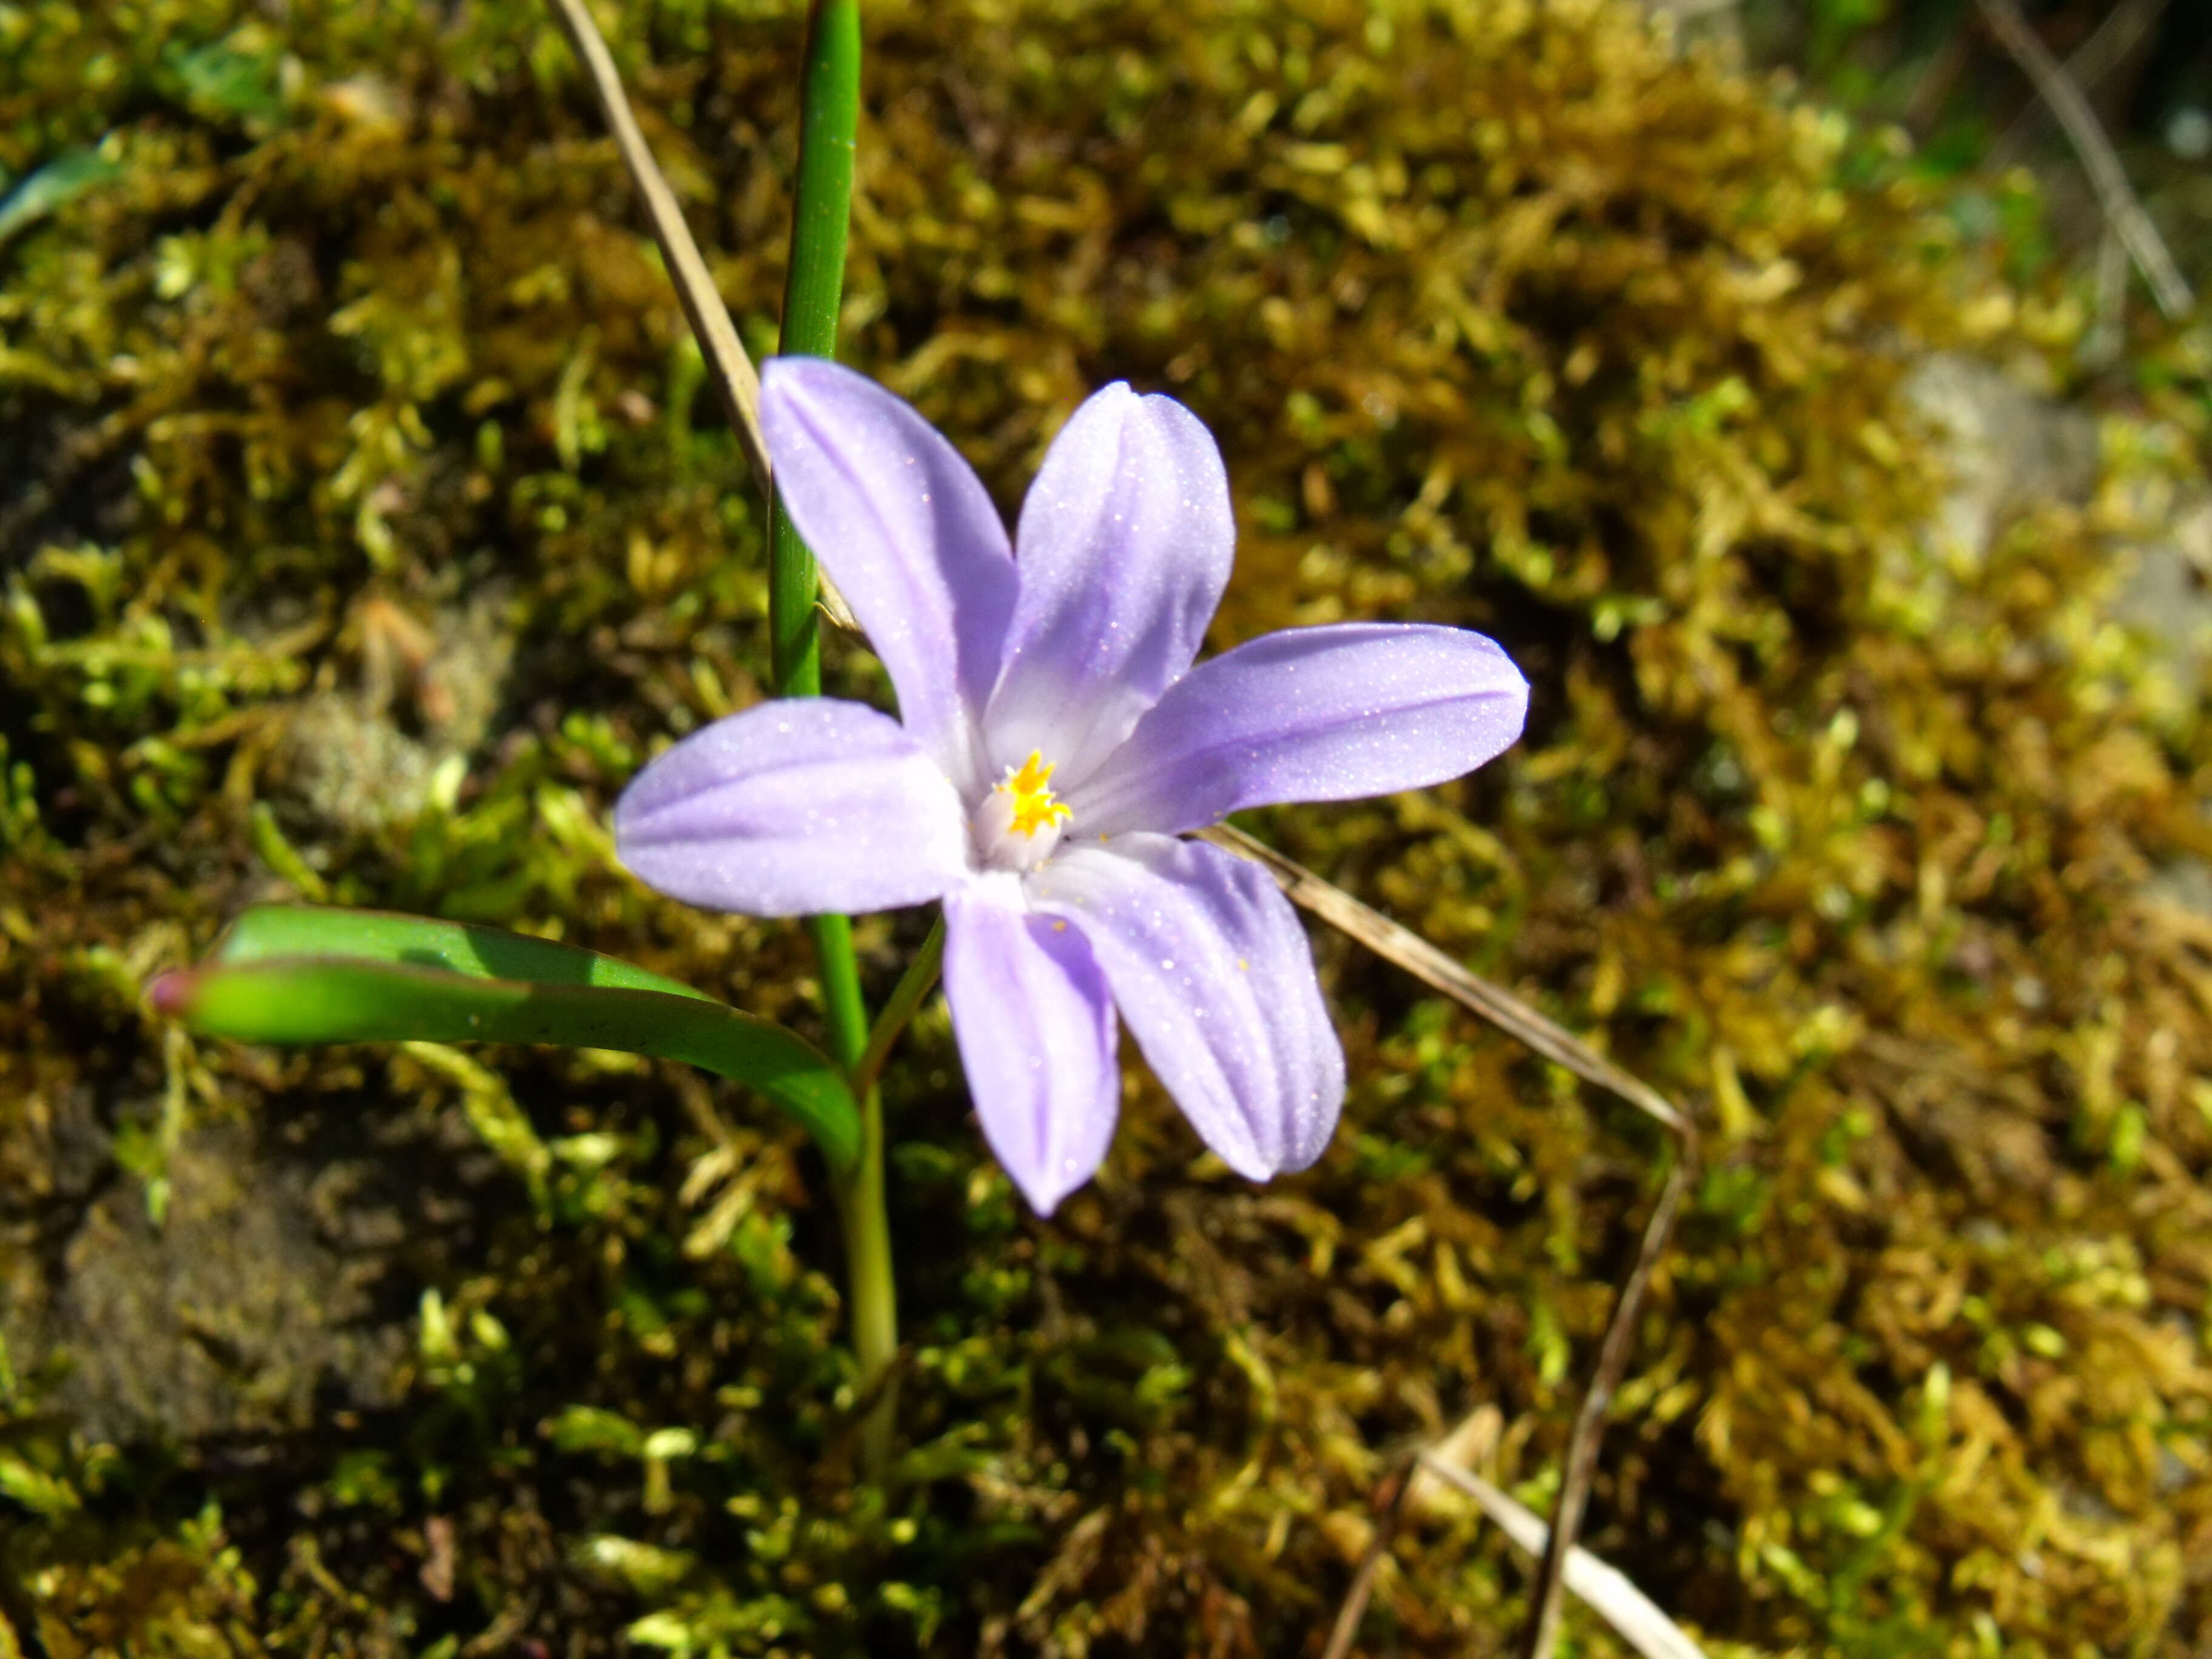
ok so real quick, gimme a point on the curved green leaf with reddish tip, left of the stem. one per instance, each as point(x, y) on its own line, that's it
point(298, 974)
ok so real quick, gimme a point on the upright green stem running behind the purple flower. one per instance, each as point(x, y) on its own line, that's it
point(813, 293)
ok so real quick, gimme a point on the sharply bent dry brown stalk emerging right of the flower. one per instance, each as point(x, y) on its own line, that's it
point(1510, 1014)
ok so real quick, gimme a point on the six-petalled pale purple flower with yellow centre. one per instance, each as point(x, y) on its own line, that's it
point(1054, 747)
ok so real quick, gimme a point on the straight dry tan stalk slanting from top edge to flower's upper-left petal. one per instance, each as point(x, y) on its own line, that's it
point(727, 362)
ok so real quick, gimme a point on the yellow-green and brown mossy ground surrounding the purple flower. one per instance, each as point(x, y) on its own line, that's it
point(364, 523)
